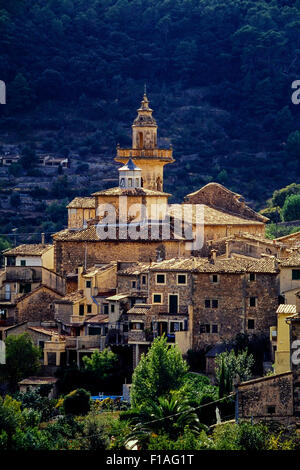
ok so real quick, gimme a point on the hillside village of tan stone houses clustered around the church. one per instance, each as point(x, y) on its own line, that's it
point(83, 293)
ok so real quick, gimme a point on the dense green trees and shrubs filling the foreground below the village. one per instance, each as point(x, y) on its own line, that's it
point(184, 414)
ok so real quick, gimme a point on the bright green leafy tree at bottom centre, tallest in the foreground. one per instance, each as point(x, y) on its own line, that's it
point(158, 372)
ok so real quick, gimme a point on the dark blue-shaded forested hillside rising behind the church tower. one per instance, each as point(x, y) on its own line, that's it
point(218, 74)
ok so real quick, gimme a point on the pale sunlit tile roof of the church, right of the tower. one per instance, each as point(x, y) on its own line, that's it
point(214, 216)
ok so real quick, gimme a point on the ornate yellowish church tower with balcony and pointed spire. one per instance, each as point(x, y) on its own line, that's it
point(144, 152)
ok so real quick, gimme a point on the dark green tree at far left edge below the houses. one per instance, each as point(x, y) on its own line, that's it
point(22, 358)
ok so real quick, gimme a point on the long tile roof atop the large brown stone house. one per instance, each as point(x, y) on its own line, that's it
point(224, 265)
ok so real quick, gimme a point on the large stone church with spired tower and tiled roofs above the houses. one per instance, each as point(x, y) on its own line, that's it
point(141, 205)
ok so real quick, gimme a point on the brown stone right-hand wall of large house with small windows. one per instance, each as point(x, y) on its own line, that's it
point(233, 292)
